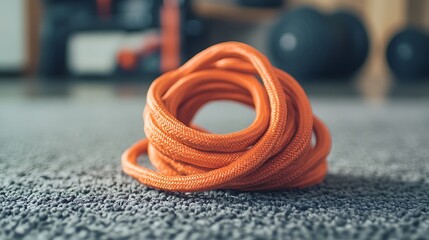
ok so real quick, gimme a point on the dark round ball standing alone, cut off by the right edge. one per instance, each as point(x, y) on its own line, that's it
point(408, 54)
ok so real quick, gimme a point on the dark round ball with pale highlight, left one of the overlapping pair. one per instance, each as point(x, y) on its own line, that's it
point(300, 42)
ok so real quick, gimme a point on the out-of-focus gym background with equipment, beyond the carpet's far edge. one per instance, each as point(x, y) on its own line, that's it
point(371, 49)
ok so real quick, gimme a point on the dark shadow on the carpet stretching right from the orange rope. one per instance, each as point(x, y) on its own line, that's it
point(342, 192)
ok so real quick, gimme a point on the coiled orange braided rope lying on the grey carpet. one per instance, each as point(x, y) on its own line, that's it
point(274, 152)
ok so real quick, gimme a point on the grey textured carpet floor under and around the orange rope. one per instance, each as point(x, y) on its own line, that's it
point(60, 177)
